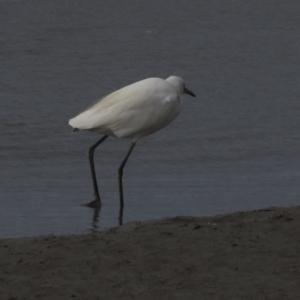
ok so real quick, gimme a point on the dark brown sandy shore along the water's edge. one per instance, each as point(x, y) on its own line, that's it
point(252, 255)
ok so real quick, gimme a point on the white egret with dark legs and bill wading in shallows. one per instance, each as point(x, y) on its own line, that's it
point(132, 112)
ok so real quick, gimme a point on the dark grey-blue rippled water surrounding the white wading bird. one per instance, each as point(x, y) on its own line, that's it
point(235, 147)
